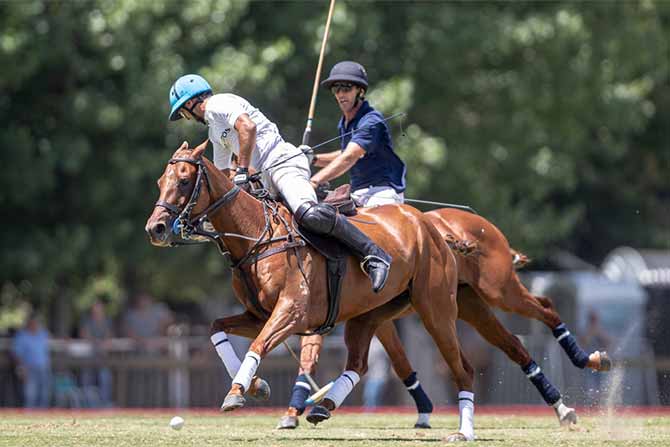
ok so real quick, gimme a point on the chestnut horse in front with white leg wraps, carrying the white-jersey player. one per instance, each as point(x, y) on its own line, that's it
point(289, 277)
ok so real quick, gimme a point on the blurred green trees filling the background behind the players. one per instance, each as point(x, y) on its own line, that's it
point(549, 118)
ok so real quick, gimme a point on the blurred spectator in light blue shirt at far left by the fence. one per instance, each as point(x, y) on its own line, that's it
point(33, 364)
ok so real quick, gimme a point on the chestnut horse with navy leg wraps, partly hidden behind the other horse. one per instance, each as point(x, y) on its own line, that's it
point(488, 279)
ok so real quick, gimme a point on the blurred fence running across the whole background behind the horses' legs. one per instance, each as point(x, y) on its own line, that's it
point(186, 372)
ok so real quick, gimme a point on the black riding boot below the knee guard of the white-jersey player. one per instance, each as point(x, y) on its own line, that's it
point(374, 261)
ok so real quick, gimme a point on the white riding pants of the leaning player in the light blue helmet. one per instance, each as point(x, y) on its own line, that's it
point(291, 178)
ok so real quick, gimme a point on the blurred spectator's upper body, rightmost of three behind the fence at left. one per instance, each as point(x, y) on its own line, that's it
point(146, 320)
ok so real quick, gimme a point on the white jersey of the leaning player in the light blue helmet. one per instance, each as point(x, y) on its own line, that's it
point(221, 112)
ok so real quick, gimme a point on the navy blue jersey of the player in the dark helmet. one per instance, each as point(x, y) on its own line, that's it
point(380, 166)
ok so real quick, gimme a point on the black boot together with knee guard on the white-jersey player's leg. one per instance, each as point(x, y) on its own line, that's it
point(324, 219)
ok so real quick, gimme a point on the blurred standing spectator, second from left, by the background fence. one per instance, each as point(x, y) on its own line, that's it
point(96, 327)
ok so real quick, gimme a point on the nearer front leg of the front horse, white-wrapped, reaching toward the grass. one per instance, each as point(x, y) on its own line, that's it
point(288, 317)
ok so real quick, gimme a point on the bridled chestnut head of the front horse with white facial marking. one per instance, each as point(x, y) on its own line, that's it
point(181, 195)
